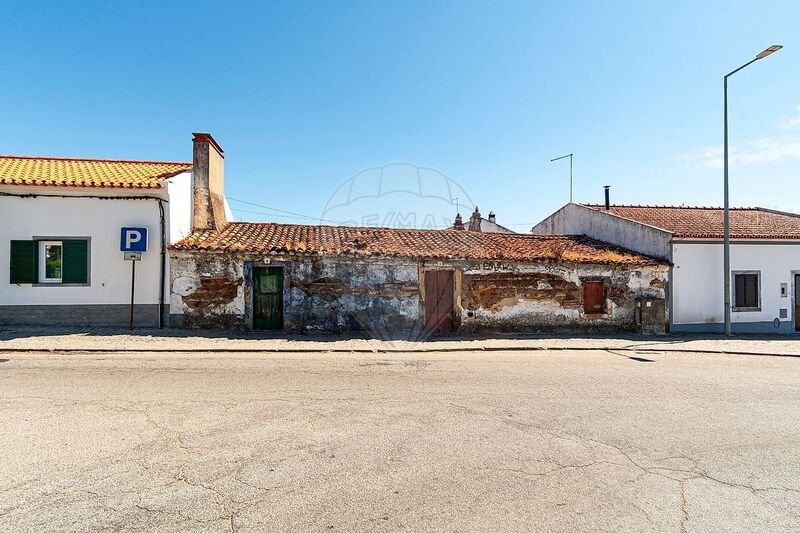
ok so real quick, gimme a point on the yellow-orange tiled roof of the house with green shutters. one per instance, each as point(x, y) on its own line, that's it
point(69, 172)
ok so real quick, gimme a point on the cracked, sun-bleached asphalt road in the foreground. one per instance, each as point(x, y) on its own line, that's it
point(544, 441)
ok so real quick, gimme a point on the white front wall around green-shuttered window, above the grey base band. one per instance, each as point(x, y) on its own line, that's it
point(99, 219)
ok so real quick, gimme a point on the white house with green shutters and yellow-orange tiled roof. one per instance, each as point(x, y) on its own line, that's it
point(60, 232)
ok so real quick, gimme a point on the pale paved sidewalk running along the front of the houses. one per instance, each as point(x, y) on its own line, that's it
point(111, 339)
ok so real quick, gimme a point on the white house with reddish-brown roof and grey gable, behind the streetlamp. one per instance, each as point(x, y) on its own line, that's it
point(765, 260)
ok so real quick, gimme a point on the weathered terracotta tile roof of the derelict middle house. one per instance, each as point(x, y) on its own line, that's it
point(270, 238)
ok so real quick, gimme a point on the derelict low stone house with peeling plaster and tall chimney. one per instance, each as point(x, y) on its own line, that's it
point(389, 281)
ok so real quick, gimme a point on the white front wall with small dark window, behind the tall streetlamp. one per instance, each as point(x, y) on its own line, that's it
point(697, 296)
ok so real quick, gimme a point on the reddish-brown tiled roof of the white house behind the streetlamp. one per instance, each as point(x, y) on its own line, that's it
point(706, 222)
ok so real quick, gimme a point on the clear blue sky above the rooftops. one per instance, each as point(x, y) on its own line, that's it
point(304, 95)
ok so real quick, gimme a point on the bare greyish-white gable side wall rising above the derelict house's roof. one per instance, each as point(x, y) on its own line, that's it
point(575, 219)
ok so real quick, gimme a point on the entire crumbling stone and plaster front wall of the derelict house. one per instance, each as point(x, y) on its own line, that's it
point(385, 296)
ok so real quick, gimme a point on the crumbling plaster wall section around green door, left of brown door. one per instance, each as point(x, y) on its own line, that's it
point(213, 290)
